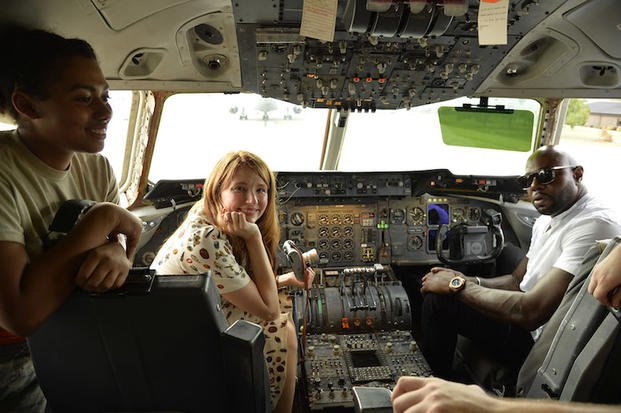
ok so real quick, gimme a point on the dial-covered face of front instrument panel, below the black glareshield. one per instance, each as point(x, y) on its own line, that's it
point(397, 231)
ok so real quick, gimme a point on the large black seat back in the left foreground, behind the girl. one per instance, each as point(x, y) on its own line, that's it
point(161, 343)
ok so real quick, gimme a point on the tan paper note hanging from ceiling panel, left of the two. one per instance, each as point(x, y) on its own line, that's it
point(319, 19)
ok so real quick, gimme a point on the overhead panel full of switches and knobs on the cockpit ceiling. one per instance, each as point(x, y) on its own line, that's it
point(401, 55)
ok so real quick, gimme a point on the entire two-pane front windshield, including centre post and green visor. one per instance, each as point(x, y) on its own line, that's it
point(201, 127)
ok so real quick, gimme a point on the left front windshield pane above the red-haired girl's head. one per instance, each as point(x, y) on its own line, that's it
point(200, 127)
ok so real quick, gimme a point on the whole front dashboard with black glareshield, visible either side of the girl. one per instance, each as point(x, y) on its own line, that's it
point(354, 219)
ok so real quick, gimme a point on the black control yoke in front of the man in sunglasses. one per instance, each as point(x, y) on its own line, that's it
point(471, 244)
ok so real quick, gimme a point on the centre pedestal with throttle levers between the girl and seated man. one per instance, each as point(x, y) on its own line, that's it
point(358, 321)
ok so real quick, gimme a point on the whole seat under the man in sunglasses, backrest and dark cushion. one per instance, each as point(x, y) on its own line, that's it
point(572, 358)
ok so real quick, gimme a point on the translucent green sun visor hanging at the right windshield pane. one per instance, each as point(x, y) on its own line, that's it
point(488, 127)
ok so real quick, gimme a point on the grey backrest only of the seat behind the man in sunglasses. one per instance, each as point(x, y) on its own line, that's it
point(583, 359)
